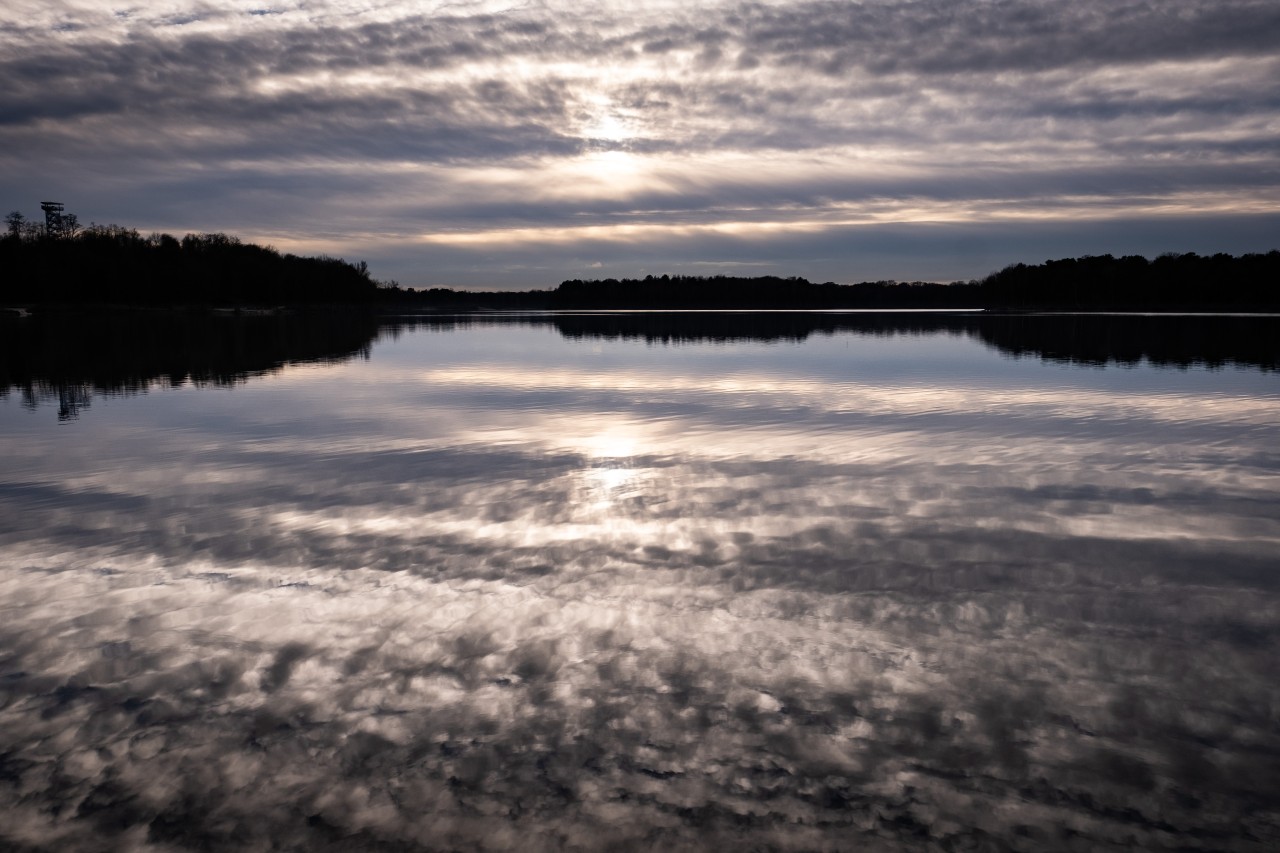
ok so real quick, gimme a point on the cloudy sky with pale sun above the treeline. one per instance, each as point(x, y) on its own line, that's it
point(515, 145)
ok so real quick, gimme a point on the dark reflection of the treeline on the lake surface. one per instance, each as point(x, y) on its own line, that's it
point(70, 358)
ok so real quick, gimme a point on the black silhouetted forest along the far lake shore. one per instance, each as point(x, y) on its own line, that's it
point(65, 264)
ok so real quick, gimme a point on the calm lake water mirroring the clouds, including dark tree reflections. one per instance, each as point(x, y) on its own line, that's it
point(797, 583)
